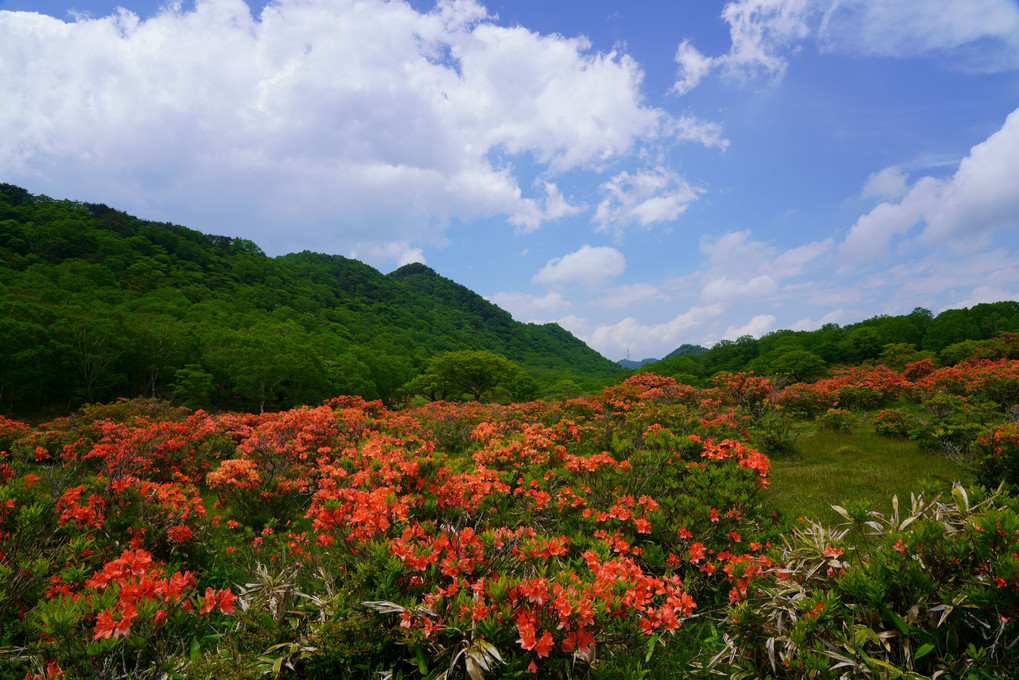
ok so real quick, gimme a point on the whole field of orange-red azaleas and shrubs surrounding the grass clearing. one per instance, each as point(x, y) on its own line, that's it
point(619, 536)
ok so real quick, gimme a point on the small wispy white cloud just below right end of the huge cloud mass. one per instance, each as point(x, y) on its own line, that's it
point(646, 198)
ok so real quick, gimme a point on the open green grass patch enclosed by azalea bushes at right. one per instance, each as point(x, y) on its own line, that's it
point(843, 468)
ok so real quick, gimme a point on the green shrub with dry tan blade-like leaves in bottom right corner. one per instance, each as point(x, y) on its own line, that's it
point(935, 594)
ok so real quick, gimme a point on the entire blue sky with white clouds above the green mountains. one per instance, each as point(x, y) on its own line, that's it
point(647, 175)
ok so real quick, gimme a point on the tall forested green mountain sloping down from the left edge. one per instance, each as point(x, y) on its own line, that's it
point(97, 304)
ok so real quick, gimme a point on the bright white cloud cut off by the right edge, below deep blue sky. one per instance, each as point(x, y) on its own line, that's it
point(962, 212)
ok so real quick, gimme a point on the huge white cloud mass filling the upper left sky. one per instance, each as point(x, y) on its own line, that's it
point(365, 121)
